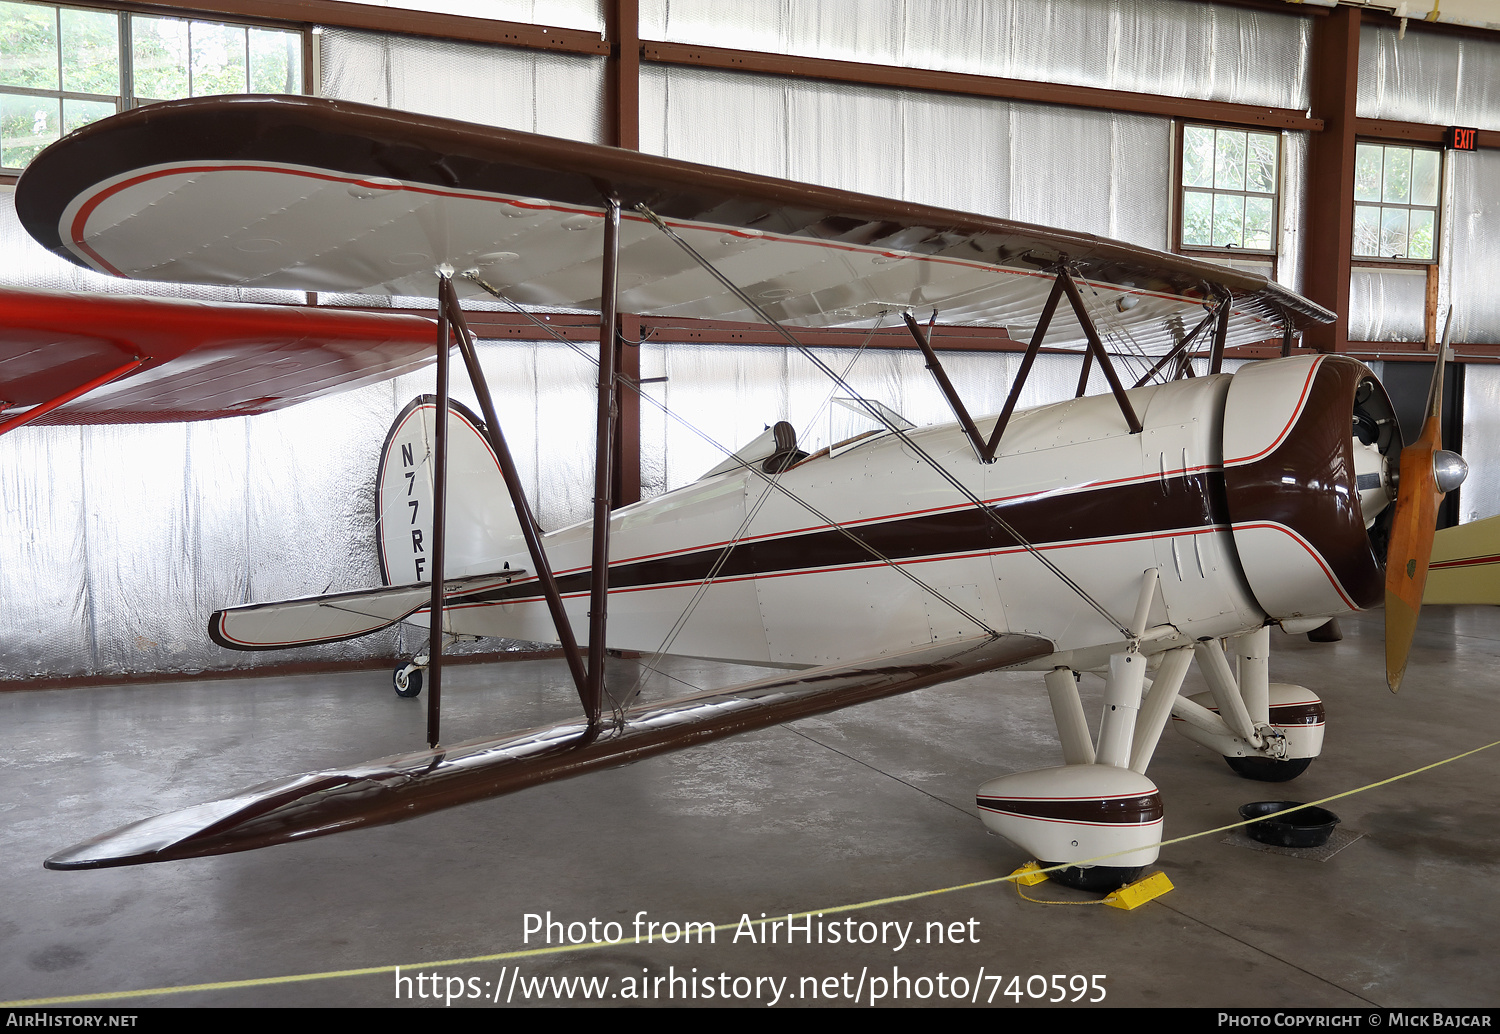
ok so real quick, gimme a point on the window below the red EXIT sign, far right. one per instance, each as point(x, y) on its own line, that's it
point(1396, 202)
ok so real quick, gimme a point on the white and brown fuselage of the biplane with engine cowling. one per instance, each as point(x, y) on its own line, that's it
point(866, 549)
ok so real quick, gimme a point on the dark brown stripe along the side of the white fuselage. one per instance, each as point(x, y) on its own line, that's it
point(1184, 503)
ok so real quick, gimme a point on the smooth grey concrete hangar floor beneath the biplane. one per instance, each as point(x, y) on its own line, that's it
point(863, 805)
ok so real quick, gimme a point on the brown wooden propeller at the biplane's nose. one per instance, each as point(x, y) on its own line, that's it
point(1415, 523)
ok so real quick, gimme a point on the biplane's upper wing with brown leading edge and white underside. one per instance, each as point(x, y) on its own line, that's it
point(328, 196)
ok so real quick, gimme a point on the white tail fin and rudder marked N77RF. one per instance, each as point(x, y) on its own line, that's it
point(482, 525)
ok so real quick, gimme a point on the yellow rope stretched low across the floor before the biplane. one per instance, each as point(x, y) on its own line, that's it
point(560, 949)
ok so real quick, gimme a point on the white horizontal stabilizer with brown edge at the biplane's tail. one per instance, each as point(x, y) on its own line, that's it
point(341, 616)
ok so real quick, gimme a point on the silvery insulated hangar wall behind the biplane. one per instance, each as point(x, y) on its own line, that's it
point(127, 538)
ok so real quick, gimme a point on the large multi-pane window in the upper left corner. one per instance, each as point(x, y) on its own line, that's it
point(62, 68)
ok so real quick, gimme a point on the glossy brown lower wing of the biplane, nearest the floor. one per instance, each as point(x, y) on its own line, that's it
point(397, 789)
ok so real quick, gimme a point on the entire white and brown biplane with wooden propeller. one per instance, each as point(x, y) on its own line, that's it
point(1132, 534)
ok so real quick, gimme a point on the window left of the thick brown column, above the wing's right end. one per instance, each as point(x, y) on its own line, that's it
point(1229, 190)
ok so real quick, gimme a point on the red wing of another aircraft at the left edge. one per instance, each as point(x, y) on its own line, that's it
point(188, 361)
